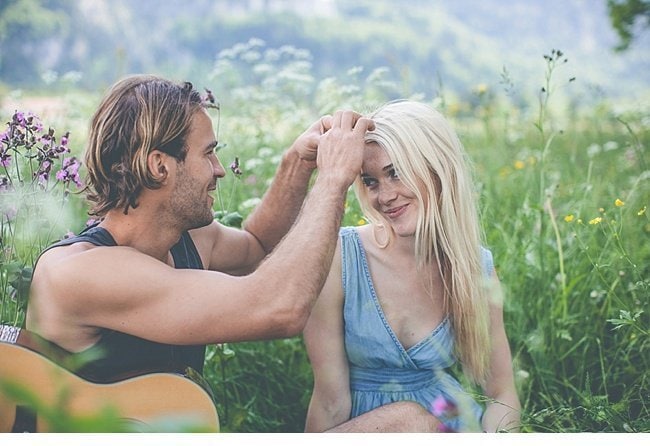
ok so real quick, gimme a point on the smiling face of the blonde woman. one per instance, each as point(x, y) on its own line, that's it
point(386, 192)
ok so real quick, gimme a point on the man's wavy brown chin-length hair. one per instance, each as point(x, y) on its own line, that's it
point(138, 114)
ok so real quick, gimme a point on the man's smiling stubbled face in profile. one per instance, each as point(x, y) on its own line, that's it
point(196, 176)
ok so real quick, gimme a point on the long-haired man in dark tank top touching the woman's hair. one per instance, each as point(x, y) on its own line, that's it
point(158, 278)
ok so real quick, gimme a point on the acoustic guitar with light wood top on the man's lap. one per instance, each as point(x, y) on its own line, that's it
point(33, 385)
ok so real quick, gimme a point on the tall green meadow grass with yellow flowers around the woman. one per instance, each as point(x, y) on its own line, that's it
point(564, 200)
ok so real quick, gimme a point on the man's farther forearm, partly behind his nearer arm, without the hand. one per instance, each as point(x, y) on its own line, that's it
point(276, 213)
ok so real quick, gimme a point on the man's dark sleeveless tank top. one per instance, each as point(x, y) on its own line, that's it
point(122, 355)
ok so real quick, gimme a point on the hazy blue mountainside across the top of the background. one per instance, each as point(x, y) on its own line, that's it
point(427, 43)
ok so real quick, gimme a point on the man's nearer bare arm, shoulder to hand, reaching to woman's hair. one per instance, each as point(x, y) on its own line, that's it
point(123, 289)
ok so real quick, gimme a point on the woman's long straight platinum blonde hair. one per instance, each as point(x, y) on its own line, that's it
point(431, 162)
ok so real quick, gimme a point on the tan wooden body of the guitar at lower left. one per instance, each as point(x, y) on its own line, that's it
point(148, 400)
